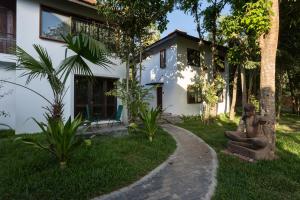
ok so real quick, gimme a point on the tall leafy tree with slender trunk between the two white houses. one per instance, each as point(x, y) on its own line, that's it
point(132, 19)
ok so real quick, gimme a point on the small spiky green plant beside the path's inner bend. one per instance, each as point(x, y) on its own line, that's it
point(149, 119)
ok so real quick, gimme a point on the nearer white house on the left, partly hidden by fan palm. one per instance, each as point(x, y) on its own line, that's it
point(28, 22)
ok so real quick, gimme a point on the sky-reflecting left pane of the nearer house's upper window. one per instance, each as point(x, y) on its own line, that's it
point(54, 24)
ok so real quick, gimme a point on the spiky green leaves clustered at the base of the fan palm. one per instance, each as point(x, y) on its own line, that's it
point(61, 139)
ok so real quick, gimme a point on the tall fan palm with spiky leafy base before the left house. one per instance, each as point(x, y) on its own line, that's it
point(61, 137)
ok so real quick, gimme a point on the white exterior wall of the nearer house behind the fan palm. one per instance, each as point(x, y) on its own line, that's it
point(27, 104)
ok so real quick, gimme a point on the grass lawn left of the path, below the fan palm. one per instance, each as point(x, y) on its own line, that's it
point(110, 163)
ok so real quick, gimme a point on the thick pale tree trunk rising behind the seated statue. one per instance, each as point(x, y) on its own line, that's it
point(268, 46)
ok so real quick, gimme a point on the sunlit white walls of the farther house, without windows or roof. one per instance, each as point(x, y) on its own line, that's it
point(177, 76)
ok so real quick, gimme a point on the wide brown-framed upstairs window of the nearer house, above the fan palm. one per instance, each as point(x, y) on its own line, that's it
point(54, 24)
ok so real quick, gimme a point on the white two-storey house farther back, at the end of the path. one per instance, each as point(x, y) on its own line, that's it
point(173, 63)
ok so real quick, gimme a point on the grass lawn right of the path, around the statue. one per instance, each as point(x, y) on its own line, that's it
point(278, 179)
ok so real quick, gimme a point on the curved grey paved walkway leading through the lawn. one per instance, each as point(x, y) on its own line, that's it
point(188, 174)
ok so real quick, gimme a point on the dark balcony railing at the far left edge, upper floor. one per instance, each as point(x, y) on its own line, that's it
point(7, 43)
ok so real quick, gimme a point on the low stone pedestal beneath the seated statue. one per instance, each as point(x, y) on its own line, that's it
point(261, 154)
